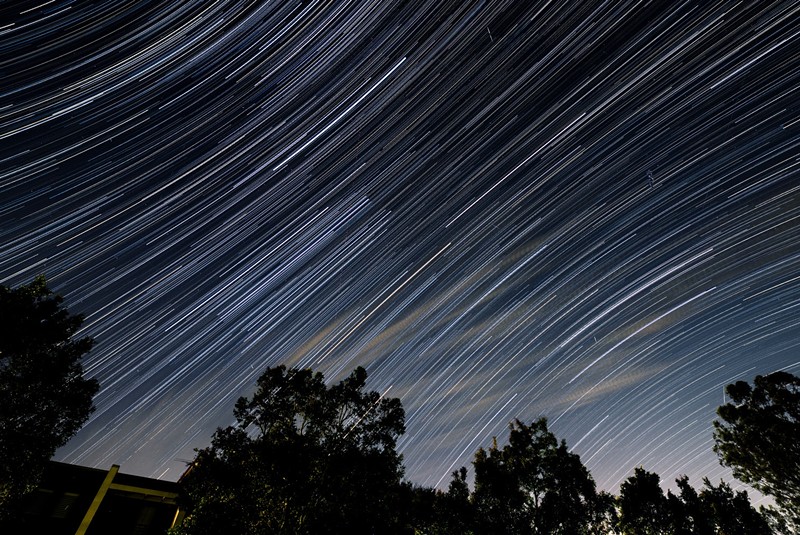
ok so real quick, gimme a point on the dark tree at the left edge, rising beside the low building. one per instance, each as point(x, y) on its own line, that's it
point(44, 397)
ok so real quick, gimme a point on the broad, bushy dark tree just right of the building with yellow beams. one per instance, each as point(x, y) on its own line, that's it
point(302, 458)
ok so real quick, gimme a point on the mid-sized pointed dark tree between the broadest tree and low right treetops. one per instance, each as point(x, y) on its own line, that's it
point(534, 484)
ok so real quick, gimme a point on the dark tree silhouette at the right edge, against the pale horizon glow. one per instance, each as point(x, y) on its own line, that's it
point(759, 437)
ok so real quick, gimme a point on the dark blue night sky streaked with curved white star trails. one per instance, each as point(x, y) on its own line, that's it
point(588, 211)
